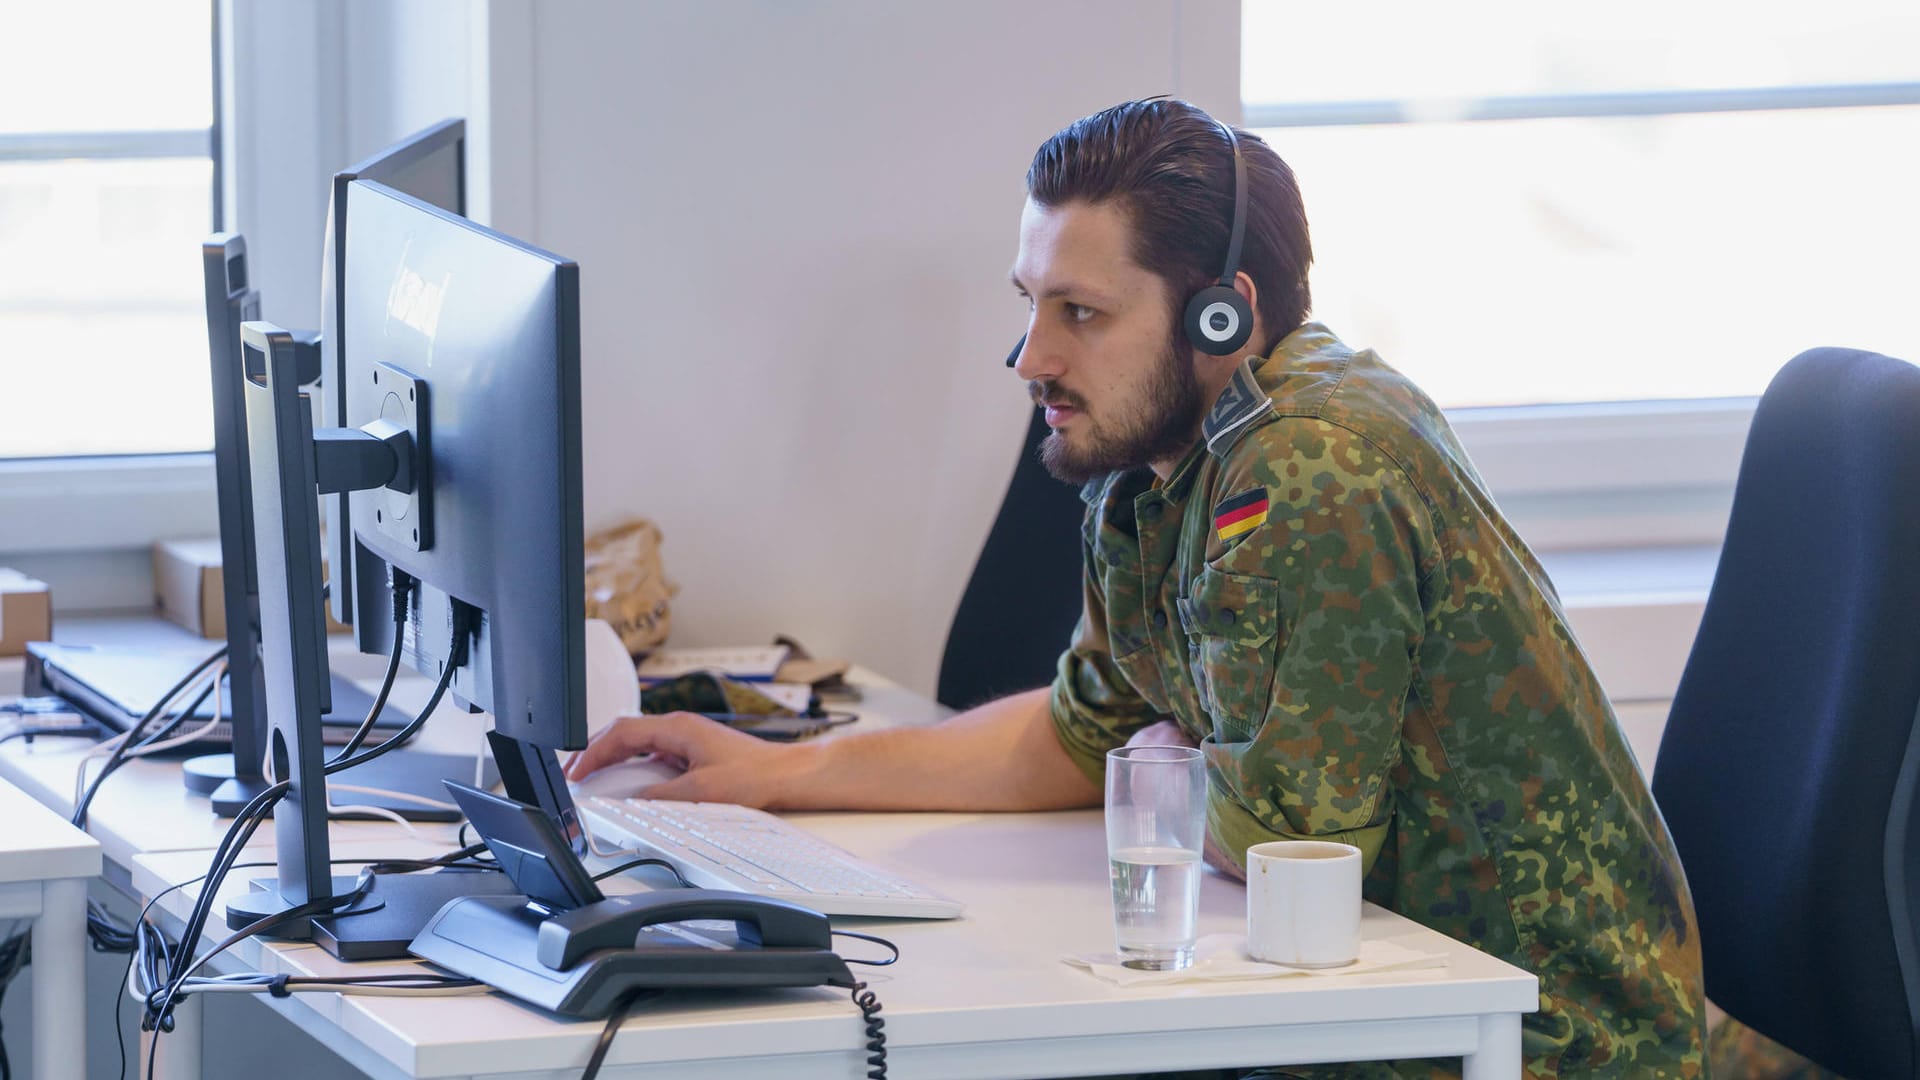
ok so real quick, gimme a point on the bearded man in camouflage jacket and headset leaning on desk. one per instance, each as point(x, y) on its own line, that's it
point(1289, 562)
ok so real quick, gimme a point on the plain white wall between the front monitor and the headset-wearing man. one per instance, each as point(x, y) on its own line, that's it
point(794, 226)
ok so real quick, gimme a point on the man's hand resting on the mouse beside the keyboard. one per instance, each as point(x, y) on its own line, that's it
point(721, 764)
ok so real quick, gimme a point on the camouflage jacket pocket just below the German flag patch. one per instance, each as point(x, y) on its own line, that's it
point(1232, 626)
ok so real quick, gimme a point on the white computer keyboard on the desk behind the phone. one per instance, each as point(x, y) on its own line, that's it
point(748, 850)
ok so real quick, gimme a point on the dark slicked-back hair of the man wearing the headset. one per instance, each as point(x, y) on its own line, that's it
point(1172, 170)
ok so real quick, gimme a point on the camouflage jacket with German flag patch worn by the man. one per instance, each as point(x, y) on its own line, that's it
point(1328, 601)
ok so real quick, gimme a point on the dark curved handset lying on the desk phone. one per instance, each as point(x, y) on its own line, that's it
point(617, 921)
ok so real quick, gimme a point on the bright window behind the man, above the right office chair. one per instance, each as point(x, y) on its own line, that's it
point(1529, 205)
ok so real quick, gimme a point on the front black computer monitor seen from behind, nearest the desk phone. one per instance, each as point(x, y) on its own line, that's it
point(494, 326)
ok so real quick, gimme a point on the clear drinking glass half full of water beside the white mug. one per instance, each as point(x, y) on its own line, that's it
point(1155, 833)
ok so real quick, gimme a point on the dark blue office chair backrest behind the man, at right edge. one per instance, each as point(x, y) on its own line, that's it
point(1788, 766)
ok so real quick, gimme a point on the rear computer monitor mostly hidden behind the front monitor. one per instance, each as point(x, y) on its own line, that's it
point(429, 166)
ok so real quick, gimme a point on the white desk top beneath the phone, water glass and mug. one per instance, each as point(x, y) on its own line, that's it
point(972, 998)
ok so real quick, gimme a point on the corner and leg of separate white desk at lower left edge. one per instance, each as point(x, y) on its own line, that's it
point(45, 866)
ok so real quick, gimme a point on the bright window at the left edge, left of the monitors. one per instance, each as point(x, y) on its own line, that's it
point(107, 191)
